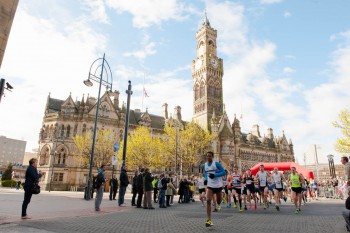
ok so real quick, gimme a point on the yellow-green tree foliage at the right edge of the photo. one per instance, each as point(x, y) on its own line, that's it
point(343, 144)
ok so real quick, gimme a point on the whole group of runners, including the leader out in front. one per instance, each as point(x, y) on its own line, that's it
point(218, 186)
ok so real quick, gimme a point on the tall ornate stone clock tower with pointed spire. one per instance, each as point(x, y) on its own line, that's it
point(207, 72)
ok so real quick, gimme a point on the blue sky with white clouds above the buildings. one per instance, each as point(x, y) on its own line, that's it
point(286, 62)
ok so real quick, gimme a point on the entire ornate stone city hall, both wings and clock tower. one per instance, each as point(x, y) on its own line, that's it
point(63, 119)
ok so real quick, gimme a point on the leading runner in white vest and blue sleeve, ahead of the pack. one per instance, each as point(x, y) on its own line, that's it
point(213, 171)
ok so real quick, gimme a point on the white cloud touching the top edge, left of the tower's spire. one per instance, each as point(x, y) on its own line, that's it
point(149, 12)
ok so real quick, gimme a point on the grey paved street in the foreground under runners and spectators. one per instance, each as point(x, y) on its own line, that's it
point(69, 212)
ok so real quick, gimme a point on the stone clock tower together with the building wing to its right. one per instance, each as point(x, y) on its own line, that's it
point(230, 145)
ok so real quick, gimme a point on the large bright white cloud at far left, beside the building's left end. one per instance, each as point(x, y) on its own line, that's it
point(42, 57)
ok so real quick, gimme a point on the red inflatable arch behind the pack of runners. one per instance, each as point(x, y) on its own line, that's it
point(283, 166)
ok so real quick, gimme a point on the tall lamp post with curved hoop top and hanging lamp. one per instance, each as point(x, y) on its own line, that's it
point(108, 84)
